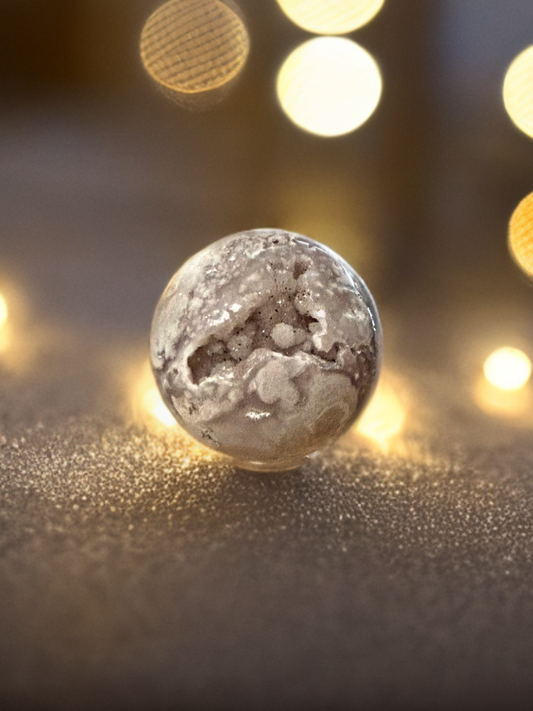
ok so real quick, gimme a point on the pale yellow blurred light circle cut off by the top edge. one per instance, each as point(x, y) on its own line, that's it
point(334, 17)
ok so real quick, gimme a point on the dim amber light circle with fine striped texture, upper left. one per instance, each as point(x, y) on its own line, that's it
point(194, 46)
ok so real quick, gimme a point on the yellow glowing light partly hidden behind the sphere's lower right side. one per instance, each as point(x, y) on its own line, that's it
point(385, 415)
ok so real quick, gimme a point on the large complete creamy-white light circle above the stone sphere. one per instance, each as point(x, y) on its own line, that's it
point(329, 86)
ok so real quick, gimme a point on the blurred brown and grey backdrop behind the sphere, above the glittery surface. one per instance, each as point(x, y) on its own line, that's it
point(108, 184)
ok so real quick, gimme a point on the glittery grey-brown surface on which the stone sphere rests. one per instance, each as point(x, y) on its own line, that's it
point(139, 571)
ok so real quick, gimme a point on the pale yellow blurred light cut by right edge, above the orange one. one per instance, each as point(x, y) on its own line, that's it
point(518, 91)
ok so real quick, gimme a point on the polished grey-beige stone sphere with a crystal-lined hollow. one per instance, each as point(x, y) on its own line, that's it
point(266, 346)
